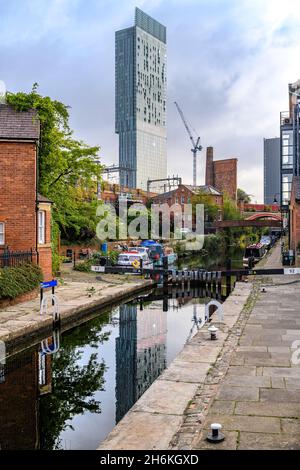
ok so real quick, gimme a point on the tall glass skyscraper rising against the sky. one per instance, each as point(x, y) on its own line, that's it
point(140, 112)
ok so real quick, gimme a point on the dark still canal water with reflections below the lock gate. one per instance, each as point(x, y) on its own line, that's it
point(72, 399)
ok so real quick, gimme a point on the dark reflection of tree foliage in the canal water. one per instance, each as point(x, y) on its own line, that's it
point(74, 381)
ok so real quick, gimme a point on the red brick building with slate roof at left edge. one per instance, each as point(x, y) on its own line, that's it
point(25, 216)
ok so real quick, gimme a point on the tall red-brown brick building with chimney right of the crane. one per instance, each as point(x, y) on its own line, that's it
point(221, 174)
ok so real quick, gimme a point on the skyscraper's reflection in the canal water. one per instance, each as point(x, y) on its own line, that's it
point(140, 353)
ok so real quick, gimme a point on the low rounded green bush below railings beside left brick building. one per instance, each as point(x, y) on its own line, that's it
point(19, 280)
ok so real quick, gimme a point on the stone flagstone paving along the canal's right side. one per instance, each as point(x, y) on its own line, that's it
point(258, 401)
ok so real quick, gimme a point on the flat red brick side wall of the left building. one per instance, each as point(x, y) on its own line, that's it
point(17, 194)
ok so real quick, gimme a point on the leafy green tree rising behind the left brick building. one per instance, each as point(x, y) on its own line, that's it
point(68, 168)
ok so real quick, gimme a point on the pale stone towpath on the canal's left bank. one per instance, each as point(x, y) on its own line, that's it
point(78, 294)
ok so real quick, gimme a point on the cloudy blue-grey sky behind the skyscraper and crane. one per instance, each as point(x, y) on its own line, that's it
point(229, 64)
